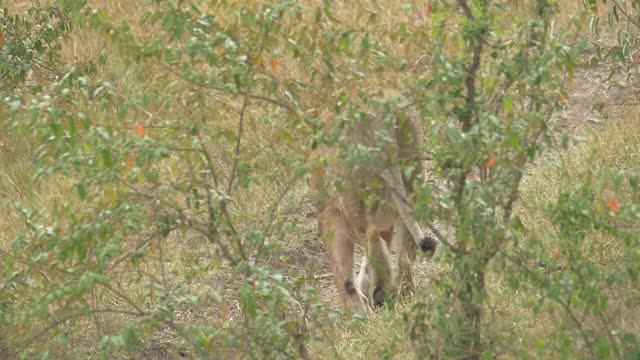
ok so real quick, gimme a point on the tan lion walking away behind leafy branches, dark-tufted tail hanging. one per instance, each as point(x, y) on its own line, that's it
point(364, 202)
